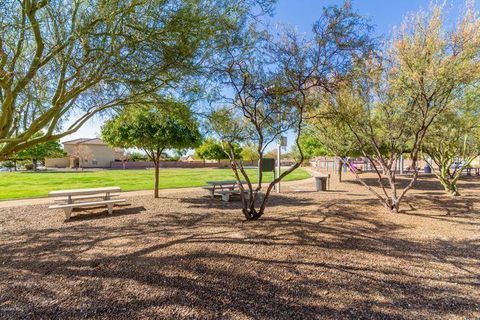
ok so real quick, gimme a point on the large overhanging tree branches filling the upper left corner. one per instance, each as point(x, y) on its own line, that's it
point(62, 62)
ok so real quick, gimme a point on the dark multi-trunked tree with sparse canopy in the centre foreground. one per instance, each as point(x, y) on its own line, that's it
point(270, 80)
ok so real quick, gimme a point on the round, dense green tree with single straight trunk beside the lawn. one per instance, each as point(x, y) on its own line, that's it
point(155, 127)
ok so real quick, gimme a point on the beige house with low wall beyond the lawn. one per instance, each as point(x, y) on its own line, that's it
point(86, 153)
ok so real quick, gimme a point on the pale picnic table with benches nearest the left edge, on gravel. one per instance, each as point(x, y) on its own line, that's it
point(72, 199)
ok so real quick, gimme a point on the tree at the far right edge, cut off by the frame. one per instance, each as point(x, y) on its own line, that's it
point(454, 137)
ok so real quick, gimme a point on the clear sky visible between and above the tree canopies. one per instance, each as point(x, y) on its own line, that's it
point(384, 15)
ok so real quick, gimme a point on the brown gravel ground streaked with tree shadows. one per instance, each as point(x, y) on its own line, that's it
point(314, 255)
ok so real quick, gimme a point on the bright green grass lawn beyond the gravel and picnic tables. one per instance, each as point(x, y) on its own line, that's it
point(37, 184)
